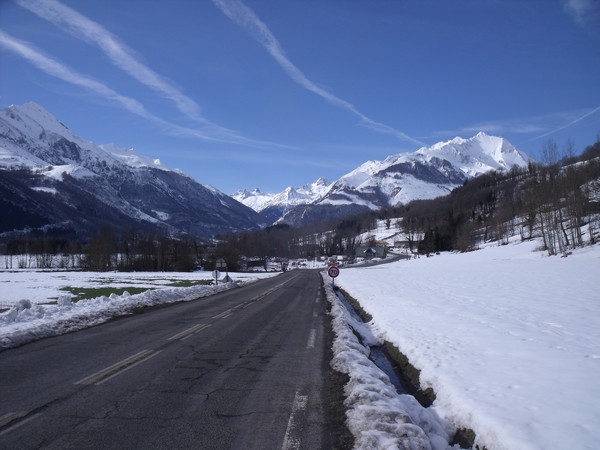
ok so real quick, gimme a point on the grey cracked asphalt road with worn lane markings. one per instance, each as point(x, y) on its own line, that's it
point(243, 369)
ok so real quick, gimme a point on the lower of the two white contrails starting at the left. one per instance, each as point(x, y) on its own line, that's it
point(57, 69)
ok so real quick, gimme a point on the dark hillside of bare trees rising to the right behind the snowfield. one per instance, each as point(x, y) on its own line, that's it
point(558, 202)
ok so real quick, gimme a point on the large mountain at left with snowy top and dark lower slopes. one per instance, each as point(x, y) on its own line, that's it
point(52, 179)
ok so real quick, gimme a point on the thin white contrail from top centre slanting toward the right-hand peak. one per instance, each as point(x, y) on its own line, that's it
point(243, 16)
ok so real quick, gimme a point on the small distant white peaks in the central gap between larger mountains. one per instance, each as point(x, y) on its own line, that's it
point(274, 206)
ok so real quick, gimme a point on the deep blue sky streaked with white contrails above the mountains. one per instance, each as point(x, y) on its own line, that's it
point(262, 93)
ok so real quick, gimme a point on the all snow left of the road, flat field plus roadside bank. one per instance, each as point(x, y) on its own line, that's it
point(30, 317)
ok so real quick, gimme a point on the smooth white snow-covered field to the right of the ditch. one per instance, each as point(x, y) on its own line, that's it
point(508, 338)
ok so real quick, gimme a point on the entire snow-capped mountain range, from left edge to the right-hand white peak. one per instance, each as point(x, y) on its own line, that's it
point(55, 182)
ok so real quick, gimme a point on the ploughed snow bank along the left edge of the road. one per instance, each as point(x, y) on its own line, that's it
point(26, 321)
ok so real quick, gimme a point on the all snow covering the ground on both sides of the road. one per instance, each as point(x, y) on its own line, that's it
point(507, 337)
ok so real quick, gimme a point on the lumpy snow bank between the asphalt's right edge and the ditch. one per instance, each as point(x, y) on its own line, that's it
point(377, 416)
